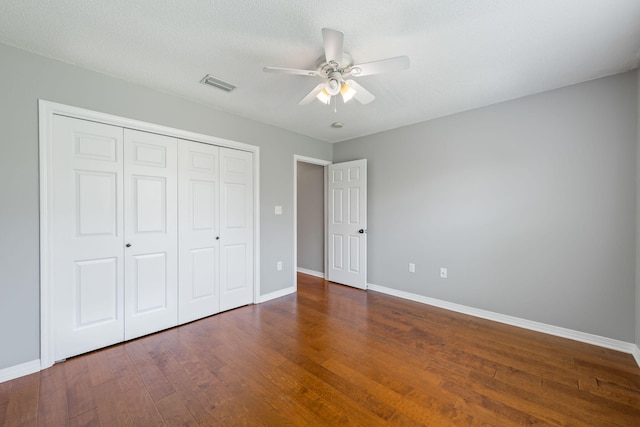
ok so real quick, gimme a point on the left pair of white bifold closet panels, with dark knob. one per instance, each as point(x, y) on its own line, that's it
point(114, 223)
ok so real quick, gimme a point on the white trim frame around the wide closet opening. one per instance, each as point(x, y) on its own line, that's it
point(46, 111)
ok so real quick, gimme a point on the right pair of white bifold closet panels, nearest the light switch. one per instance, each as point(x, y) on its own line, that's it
point(216, 229)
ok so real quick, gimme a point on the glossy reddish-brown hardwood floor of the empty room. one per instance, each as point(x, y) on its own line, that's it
point(333, 355)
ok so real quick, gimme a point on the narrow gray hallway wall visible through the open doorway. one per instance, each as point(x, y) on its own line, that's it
point(310, 216)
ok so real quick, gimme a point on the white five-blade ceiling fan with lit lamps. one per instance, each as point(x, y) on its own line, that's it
point(336, 66)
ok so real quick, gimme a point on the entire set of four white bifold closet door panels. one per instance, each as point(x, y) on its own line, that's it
point(148, 232)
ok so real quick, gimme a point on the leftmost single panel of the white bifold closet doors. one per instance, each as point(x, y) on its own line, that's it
point(87, 228)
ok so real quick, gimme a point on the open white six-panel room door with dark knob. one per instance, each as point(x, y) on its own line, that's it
point(347, 223)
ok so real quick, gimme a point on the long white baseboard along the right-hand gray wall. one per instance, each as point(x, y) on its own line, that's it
point(600, 341)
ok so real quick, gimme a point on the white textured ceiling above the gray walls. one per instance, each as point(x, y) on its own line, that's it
point(464, 54)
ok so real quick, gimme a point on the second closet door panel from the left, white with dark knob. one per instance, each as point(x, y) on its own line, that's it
point(151, 258)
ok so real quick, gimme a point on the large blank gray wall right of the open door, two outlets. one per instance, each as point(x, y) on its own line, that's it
point(529, 204)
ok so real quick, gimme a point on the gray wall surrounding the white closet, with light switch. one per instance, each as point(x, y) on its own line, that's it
point(24, 79)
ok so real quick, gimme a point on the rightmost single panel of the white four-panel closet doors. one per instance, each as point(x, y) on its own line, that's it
point(236, 228)
